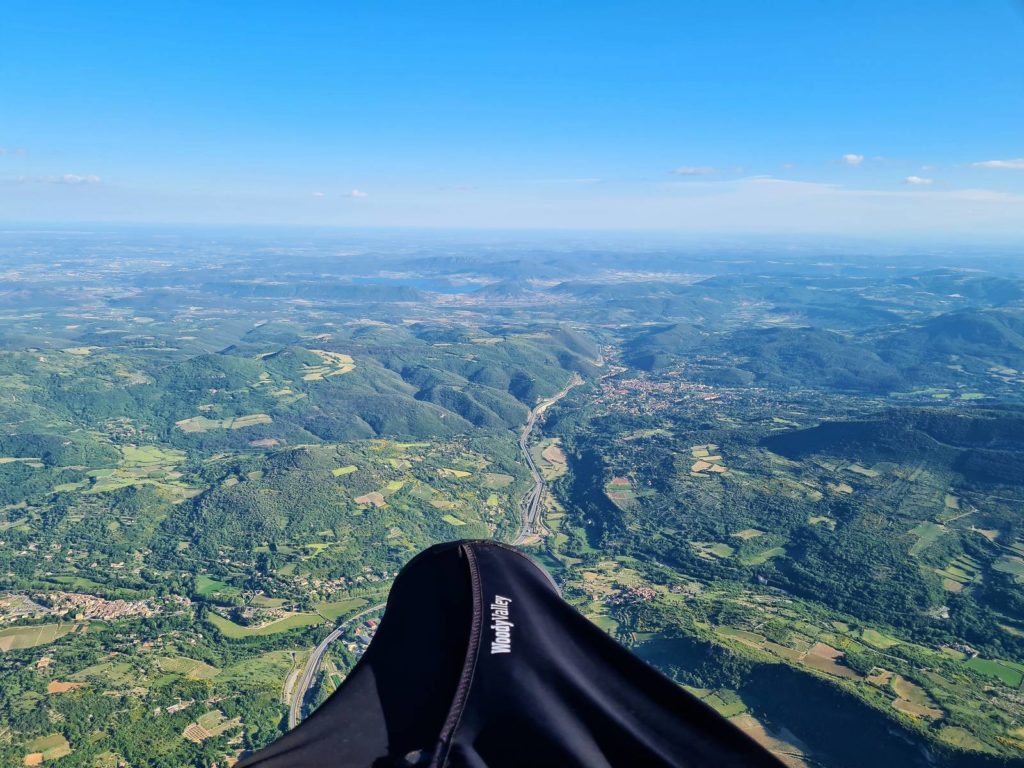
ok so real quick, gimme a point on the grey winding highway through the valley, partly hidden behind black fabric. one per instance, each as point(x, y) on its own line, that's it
point(530, 508)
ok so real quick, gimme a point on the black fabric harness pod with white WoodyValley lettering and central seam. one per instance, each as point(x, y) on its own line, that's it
point(479, 663)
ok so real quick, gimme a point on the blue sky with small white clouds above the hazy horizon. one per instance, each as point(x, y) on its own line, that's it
point(872, 118)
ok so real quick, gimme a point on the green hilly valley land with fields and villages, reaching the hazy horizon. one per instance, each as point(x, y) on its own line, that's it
point(795, 488)
